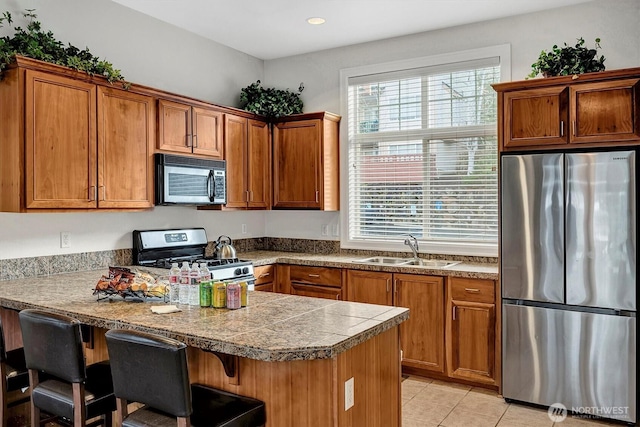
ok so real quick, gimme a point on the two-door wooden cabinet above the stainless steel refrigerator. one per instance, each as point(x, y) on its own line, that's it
point(589, 109)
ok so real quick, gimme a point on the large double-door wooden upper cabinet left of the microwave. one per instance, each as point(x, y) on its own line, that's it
point(69, 143)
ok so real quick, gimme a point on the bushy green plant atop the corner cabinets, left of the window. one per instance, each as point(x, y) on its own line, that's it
point(270, 102)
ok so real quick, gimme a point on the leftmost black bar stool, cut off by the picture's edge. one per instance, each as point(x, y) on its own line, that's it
point(14, 376)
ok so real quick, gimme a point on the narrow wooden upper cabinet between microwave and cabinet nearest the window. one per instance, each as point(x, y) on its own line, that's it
point(247, 147)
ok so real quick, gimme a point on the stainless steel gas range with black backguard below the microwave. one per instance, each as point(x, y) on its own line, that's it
point(160, 248)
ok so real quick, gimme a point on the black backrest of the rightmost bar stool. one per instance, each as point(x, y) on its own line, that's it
point(150, 369)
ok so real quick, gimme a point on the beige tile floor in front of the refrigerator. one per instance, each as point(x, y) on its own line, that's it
point(431, 403)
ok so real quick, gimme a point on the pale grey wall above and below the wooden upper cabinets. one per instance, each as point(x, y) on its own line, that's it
point(155, 54)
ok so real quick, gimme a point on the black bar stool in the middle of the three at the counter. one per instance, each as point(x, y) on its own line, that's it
point(70, 388)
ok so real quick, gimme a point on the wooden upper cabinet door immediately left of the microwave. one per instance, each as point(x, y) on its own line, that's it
point(126, 135)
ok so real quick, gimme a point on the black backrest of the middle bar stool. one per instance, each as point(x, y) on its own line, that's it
point(53, 344)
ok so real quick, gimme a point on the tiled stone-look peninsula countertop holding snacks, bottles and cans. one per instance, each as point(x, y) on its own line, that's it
point(274, 327)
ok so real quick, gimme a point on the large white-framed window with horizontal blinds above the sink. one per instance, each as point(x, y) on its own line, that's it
point(422, 155)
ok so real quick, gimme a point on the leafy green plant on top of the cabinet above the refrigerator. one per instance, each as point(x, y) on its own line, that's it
point(568, 60)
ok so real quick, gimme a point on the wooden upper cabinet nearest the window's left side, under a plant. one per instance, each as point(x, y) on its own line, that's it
point(306, 162)
